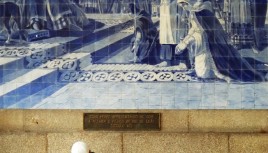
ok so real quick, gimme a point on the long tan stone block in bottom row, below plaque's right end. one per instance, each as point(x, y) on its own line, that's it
point(174, 142)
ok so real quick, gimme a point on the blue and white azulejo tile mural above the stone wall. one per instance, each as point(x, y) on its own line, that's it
point(130, 54)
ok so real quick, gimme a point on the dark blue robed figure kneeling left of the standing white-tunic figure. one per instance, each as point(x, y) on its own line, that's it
point(145, 43)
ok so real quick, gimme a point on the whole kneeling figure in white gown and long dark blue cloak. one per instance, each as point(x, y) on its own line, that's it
point(207, 42)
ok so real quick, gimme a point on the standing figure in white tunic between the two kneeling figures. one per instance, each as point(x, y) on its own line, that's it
point(173, 28)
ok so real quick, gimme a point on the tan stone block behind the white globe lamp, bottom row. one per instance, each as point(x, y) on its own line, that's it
point(100, 142)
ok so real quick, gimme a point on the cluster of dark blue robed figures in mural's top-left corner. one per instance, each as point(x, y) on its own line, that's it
point(42, 14)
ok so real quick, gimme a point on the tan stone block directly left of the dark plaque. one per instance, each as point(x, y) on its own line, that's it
point(53, 121)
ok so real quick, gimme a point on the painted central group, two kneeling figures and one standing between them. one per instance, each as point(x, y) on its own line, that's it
point(190, 32)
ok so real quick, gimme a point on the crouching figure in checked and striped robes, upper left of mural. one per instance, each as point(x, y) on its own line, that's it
point(52, 15)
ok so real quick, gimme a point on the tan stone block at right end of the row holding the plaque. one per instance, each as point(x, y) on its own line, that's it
point(228, 121)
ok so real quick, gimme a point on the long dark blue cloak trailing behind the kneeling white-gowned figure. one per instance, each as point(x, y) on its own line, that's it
point(214, 42)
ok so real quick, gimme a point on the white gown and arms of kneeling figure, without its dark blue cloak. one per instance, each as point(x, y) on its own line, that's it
point(196, 43)
